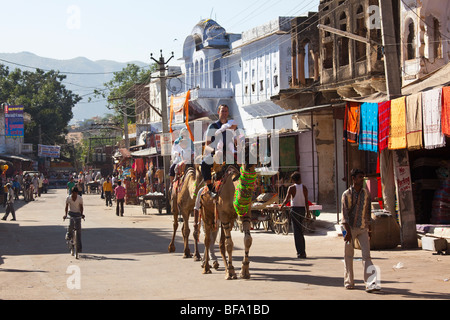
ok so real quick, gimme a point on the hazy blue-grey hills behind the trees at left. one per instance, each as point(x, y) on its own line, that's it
point(84, 76)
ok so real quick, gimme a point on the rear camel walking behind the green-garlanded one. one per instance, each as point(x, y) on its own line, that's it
point(183, 202)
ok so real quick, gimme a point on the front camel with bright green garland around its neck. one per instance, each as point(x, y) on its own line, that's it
point(226, 214)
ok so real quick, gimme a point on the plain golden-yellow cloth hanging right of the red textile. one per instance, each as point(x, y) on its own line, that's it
point(397, 136)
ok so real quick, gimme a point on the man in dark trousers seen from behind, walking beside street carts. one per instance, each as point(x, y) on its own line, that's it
point(298, 195)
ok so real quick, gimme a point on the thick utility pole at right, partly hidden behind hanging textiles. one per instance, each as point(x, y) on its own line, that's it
point(400, 158)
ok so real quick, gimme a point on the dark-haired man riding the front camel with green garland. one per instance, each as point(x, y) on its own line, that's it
point(215, 138)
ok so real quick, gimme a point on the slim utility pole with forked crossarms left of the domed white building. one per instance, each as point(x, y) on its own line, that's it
point(165, 123)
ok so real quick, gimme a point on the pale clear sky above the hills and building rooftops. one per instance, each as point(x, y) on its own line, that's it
point(126, 30)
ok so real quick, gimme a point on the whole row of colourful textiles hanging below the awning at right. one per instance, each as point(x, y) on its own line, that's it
point(421, 120)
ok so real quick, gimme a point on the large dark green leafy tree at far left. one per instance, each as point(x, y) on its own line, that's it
point(44, 97)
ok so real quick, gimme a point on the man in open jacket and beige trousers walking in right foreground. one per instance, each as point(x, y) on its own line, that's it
point(356, 215)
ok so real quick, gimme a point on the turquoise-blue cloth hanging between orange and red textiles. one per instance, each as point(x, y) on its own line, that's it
point(368, 139)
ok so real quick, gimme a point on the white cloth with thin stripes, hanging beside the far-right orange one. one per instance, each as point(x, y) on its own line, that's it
point(432, 131)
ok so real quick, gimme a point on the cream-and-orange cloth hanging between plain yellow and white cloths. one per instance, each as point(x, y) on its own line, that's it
point(414, 121)
